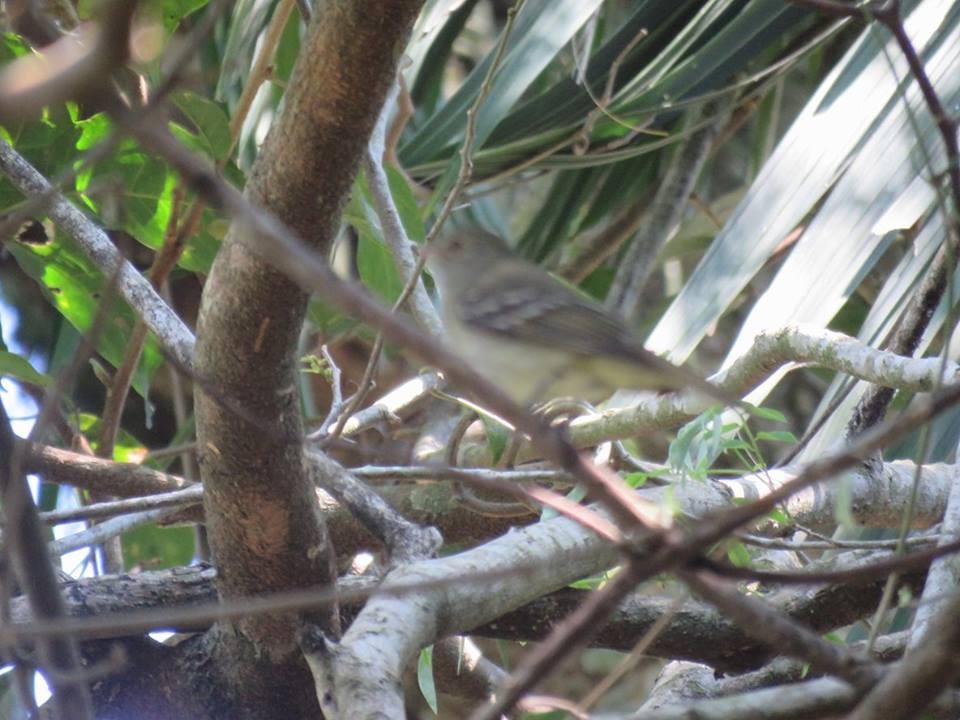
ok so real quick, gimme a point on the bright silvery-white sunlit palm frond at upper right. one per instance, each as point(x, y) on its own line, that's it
point(867, 157)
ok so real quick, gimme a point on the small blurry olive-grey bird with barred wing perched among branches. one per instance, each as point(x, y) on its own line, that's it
point(536, 337)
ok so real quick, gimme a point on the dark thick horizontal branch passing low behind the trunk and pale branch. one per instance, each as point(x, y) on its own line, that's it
point(696, 632)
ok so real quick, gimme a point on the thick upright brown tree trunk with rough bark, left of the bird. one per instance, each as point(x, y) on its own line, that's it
point(265, 531)
